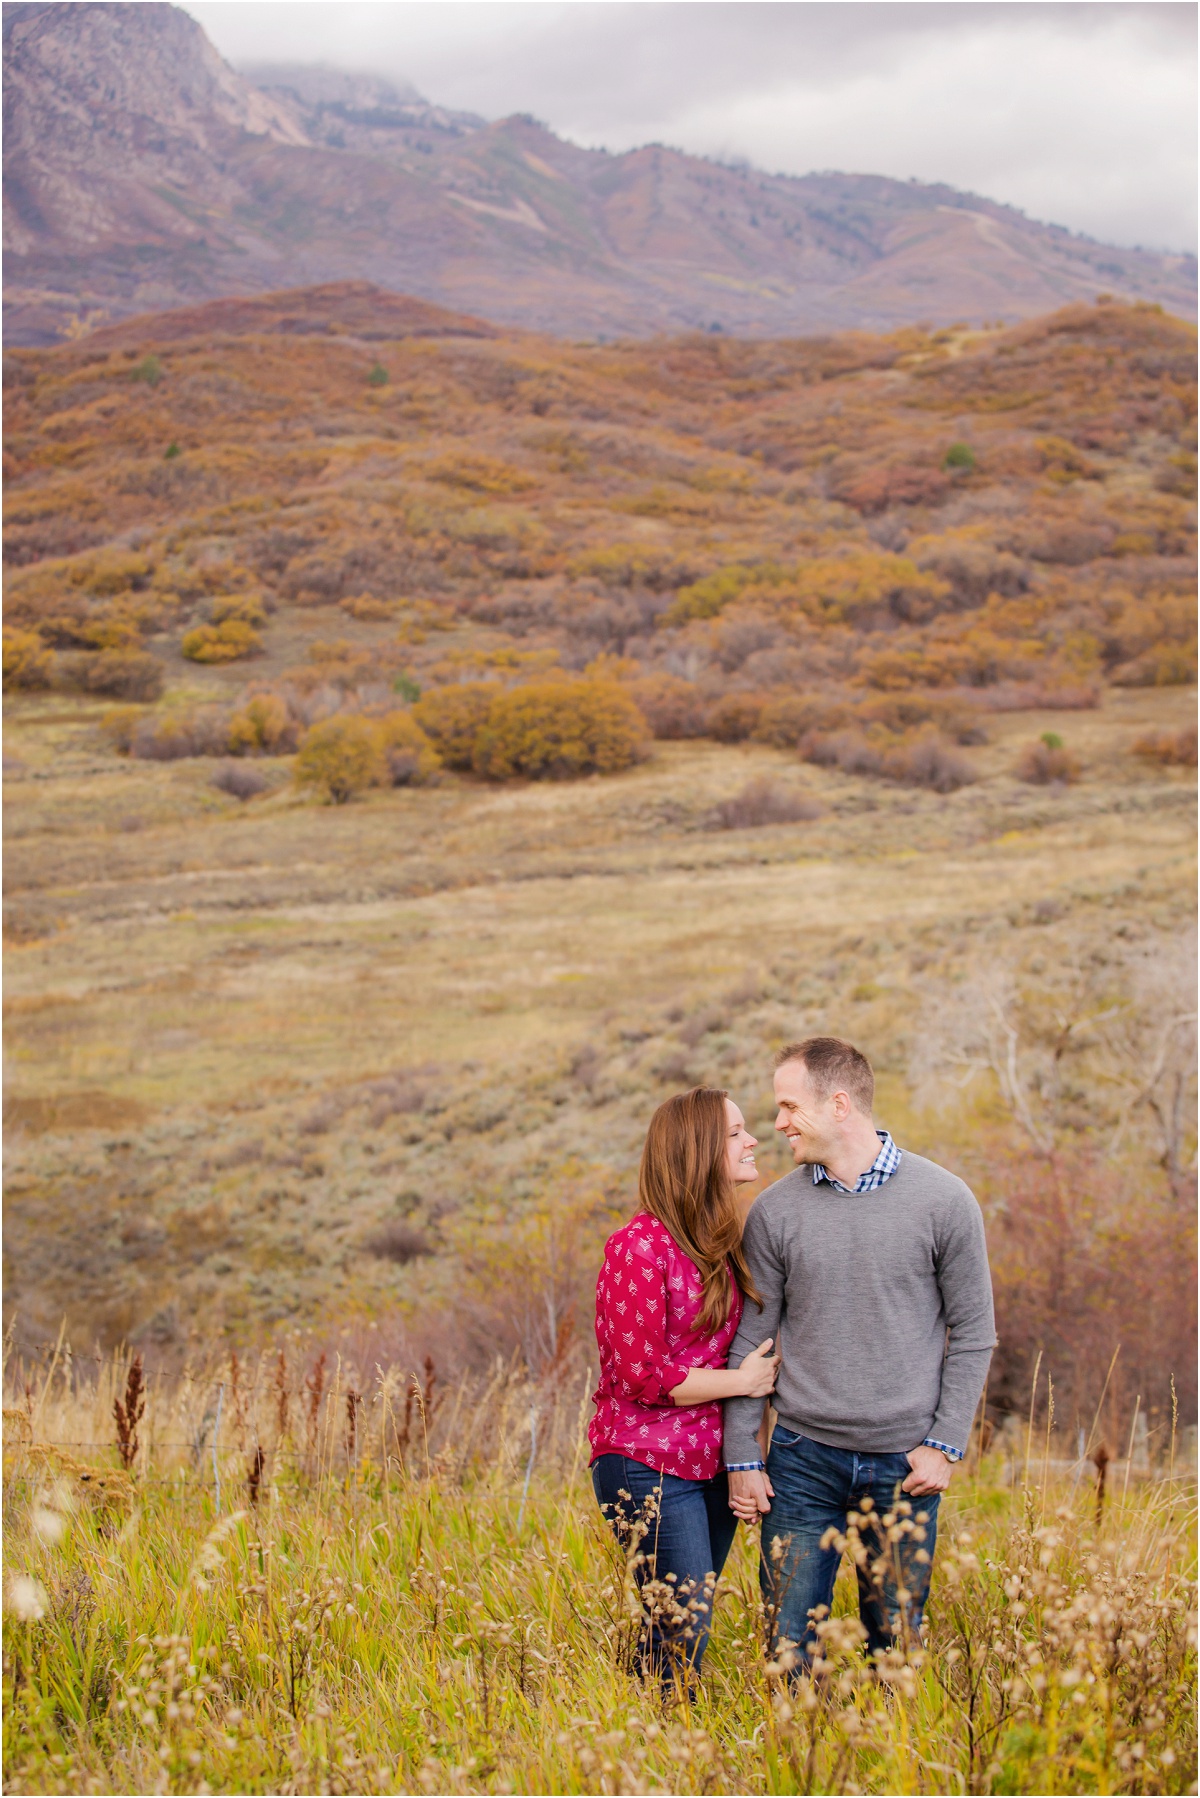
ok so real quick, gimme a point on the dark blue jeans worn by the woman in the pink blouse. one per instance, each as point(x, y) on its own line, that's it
point(688, 1535)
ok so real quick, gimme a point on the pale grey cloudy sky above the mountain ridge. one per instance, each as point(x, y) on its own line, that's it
point(1084, 114)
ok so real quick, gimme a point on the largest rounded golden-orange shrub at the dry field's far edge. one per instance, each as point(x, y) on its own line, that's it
point(560, 729)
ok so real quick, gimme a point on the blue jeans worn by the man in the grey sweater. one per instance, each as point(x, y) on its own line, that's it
point(816, 1488)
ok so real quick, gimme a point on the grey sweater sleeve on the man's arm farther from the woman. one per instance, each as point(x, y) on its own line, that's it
point(965, 1285)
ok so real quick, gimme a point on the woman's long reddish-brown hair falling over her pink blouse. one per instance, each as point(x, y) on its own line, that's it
point(685, 1184)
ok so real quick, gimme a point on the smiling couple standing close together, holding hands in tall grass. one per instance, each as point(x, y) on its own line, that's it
point(868, 1270)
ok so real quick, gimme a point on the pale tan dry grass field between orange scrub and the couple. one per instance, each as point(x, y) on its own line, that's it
point(249, 1038)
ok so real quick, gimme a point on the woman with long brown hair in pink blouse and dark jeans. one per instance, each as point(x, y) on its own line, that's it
point(668, 1304)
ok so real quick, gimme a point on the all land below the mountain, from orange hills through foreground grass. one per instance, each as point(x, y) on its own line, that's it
point(323, 1094)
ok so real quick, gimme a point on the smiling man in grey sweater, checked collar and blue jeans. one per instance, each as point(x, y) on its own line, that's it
point(873, 1272)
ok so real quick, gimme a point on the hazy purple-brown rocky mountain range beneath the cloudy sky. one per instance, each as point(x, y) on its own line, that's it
point(145, 174)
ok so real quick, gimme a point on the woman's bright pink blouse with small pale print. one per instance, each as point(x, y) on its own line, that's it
point(647, 1303)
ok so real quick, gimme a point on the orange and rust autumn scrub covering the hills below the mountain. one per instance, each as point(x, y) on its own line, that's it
point(980, 519)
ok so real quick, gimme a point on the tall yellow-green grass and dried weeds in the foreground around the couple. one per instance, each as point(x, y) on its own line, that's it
point(407, 1590)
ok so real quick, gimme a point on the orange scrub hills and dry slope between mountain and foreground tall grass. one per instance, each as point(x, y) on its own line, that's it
point(289, 1064)
